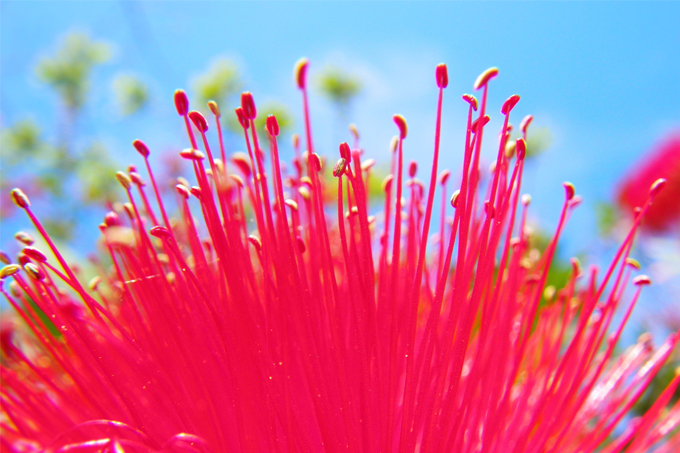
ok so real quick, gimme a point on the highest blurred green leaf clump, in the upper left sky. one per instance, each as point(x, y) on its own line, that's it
point(68, 72)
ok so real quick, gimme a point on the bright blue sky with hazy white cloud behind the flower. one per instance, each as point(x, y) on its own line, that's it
point(602, 76)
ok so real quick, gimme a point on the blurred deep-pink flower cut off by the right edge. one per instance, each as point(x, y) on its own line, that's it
point(662, 162)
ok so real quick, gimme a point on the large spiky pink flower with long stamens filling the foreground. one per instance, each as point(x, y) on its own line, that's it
point(279, 324)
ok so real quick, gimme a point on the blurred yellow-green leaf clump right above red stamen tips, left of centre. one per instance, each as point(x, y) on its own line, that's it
point(221, 81)
